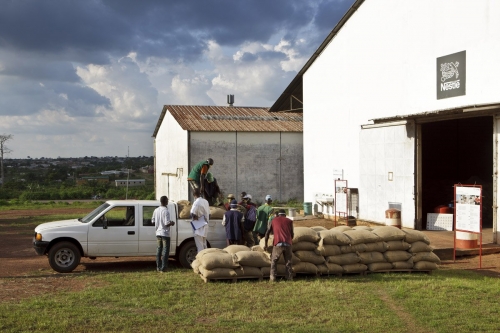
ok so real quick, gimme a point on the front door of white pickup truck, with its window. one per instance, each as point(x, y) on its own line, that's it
point(115, 232)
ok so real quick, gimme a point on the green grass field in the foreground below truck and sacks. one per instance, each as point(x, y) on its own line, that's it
point(179, 301)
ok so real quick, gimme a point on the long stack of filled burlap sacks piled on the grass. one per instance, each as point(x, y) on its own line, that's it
point(318, 250)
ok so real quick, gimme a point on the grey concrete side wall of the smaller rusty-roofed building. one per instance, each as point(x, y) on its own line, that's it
point(250, 162)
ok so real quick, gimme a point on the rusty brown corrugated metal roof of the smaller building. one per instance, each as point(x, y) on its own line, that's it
point(231, 118)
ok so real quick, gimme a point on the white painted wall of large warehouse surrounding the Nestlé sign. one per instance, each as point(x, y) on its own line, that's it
point(383, 63)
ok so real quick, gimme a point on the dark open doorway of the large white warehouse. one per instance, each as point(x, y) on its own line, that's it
point(453, 152)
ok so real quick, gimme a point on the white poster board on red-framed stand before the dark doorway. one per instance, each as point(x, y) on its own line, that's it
point(468, 208)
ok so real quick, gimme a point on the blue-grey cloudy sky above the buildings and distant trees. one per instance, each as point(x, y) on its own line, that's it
point(90, 78)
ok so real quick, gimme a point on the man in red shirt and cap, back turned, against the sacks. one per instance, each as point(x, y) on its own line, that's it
point(282, 229)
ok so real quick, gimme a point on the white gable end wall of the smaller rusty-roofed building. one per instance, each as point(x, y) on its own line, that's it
point(171, 156)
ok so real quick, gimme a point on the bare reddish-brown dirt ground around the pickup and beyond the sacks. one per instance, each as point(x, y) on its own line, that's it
point(24, 274)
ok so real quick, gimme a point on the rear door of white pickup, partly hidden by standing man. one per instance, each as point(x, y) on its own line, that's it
point(147, 233)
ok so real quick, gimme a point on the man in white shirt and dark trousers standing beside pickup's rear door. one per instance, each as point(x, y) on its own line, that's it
point(161, 219)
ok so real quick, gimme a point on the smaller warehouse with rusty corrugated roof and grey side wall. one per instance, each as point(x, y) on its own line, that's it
point(253, 150)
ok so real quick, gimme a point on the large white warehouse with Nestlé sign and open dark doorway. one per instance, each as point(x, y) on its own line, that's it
point(402, 100)
